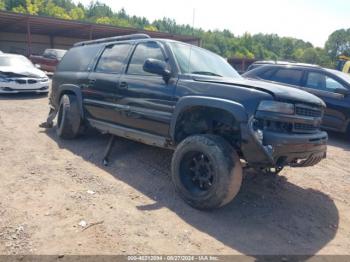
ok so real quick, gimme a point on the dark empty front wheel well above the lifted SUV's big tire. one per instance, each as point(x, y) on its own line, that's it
point(206, 120)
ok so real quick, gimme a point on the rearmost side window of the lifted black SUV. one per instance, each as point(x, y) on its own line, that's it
point(78, 59)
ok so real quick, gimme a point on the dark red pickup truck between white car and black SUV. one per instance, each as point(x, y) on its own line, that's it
point(49, 60)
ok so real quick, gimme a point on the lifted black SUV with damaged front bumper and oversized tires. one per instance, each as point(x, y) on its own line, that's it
point(178, 96)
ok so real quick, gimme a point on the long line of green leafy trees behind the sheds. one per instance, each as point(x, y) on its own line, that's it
point(225, 43)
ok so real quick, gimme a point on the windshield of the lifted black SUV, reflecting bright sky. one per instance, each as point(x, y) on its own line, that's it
point(195, 60)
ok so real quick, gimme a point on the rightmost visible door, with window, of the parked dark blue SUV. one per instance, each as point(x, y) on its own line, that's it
point(324, 85)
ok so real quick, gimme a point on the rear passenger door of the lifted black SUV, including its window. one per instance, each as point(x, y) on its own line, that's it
point(100, 95)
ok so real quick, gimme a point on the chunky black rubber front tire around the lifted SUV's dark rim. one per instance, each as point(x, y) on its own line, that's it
point(227, 175)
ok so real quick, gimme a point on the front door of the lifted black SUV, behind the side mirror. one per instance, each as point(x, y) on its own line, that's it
point(148, 97)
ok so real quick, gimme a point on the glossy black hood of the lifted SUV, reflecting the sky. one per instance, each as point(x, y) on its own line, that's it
point(279, 92)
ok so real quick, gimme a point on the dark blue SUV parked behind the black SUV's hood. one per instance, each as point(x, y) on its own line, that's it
point(332, 86)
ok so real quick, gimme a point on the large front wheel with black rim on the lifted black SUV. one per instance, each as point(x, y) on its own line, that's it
point(206, 171)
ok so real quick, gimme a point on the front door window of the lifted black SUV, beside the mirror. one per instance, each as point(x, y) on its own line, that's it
point(142, 52)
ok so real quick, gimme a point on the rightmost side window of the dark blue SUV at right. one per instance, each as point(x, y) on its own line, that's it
point(321, 81)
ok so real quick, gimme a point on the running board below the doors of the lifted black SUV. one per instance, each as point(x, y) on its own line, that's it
point(132, 134)
